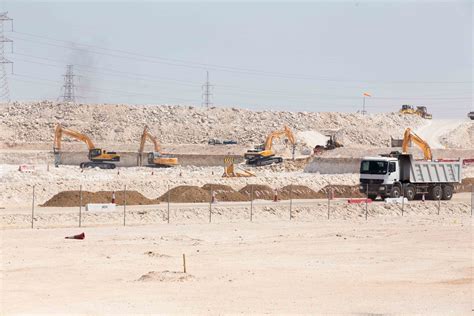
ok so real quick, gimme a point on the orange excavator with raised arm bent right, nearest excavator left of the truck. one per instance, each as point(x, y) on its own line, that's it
point(263, 154)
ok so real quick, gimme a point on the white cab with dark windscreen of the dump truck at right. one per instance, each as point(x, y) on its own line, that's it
point(377, 176)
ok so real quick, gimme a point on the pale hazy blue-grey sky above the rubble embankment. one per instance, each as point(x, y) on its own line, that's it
point(309, 56)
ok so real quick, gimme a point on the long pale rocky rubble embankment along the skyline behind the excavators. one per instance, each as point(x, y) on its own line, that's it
point(34, 122)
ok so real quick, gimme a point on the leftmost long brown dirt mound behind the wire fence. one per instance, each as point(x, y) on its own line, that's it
point(72, 198)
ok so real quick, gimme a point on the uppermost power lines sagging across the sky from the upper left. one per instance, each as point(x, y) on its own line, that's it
point(181, 63)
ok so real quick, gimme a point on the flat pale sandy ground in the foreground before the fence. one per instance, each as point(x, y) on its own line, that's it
point(409, 265)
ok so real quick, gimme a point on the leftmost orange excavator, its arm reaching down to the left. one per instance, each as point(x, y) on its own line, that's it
point(97, 157)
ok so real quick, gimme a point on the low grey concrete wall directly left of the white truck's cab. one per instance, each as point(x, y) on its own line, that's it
point(327, 165)
